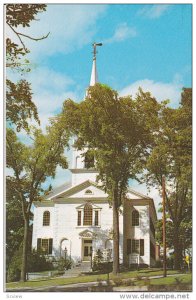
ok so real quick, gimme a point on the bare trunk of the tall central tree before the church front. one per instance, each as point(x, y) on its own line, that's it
point(115, 237)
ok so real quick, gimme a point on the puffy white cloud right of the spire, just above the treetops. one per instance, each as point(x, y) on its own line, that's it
point(160, 90)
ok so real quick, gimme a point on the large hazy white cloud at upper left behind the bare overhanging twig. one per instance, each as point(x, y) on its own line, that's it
point(70, 27)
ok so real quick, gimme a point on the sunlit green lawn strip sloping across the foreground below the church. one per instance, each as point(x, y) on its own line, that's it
point(90, 278)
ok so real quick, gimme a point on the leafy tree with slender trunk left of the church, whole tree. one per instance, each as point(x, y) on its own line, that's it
point(31, 166)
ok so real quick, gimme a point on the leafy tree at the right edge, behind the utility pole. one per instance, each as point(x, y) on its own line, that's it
point(172, 157)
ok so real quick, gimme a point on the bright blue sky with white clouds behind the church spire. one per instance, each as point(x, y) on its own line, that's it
point(143, 45)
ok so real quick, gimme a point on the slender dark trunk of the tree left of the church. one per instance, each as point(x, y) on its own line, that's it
point(25, 249)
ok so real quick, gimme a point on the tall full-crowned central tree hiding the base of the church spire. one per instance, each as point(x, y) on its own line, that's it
point(118, 130)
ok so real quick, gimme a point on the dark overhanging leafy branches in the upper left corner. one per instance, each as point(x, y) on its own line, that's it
point(19, 105)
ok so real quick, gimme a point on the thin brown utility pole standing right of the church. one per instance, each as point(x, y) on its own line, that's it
point(164, 229)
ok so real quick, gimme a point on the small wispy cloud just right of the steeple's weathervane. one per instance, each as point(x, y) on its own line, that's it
point(122, 33)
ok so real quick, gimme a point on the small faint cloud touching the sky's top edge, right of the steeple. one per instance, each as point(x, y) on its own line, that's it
point(153, 11)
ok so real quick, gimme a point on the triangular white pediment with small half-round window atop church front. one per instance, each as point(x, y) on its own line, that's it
point(87, 190)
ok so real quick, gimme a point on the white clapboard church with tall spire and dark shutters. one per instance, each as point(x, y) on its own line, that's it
point(76, 218)
